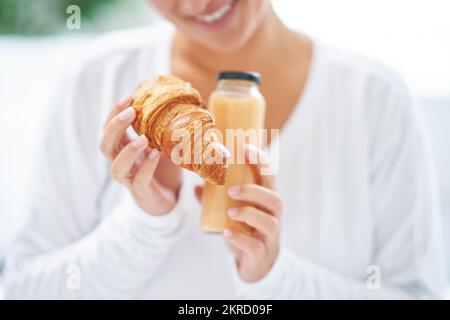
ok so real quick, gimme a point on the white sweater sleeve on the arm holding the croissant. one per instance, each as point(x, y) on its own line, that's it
point(66, 250)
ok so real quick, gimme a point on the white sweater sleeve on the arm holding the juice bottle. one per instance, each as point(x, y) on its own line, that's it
point(407, 253)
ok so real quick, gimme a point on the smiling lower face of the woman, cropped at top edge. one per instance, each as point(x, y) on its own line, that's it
point(221, 25)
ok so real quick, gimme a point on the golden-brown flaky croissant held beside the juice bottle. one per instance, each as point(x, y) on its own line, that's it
point(166, 104)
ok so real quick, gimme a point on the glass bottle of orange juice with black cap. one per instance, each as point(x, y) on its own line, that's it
point(239, 110)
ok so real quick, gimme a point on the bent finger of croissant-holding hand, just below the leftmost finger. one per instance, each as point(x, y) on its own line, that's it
point(121, 167)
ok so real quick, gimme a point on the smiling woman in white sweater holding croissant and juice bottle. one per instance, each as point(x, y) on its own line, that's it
point(352, 213)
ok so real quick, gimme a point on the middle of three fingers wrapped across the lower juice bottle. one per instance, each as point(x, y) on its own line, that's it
point(263, 222)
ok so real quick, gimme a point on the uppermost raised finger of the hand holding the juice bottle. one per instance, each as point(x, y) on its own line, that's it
point(260, 162)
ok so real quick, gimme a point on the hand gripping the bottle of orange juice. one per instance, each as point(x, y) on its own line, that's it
point(255, 253)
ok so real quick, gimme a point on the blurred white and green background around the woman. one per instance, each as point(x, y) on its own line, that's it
point(411, 36)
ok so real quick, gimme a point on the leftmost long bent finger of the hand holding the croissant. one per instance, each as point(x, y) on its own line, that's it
point(115, 132)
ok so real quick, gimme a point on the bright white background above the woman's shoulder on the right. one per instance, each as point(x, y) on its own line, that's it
point(413, 36)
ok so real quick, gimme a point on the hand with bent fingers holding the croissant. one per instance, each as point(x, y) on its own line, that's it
point(151, 177)
